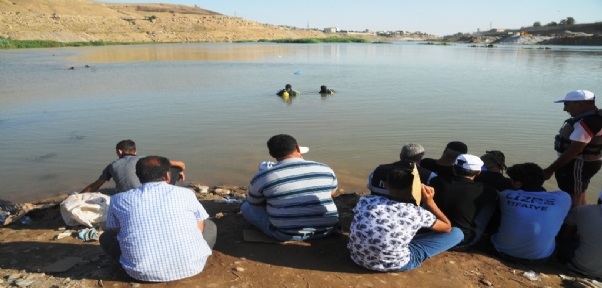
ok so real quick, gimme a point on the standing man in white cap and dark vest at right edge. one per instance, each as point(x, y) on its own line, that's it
point(578, 143)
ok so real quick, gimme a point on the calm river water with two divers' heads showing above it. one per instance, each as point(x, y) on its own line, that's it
point(214, 107)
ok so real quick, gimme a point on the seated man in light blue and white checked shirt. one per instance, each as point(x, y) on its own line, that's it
point(159, 232)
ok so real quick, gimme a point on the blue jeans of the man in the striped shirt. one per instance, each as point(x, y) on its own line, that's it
point(258, 216)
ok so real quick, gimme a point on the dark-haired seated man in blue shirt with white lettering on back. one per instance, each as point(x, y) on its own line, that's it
point(531, 216)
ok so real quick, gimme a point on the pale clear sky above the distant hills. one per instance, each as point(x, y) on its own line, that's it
point(437, 17)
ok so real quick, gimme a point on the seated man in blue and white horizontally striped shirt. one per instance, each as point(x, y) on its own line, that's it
point(293, 199)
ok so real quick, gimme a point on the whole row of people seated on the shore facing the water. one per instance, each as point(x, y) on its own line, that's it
point(418, 207)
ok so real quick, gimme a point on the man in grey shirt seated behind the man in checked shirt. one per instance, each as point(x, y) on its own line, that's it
point(123, 170)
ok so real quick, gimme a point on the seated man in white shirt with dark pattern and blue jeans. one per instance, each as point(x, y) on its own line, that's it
point(383, 232)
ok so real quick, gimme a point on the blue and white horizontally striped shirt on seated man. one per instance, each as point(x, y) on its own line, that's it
point(298, 195)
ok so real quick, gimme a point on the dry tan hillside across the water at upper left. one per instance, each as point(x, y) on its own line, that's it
point(83, 20)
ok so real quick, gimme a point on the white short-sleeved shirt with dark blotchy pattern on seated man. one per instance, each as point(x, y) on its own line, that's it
point(381, 231)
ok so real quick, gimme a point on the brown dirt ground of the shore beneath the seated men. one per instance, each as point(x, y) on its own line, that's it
point(26, 250)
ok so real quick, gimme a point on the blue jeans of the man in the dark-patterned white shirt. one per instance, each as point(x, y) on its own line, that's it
point(427, 245)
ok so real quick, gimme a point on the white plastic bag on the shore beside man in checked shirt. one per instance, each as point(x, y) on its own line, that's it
point(85, 209)
